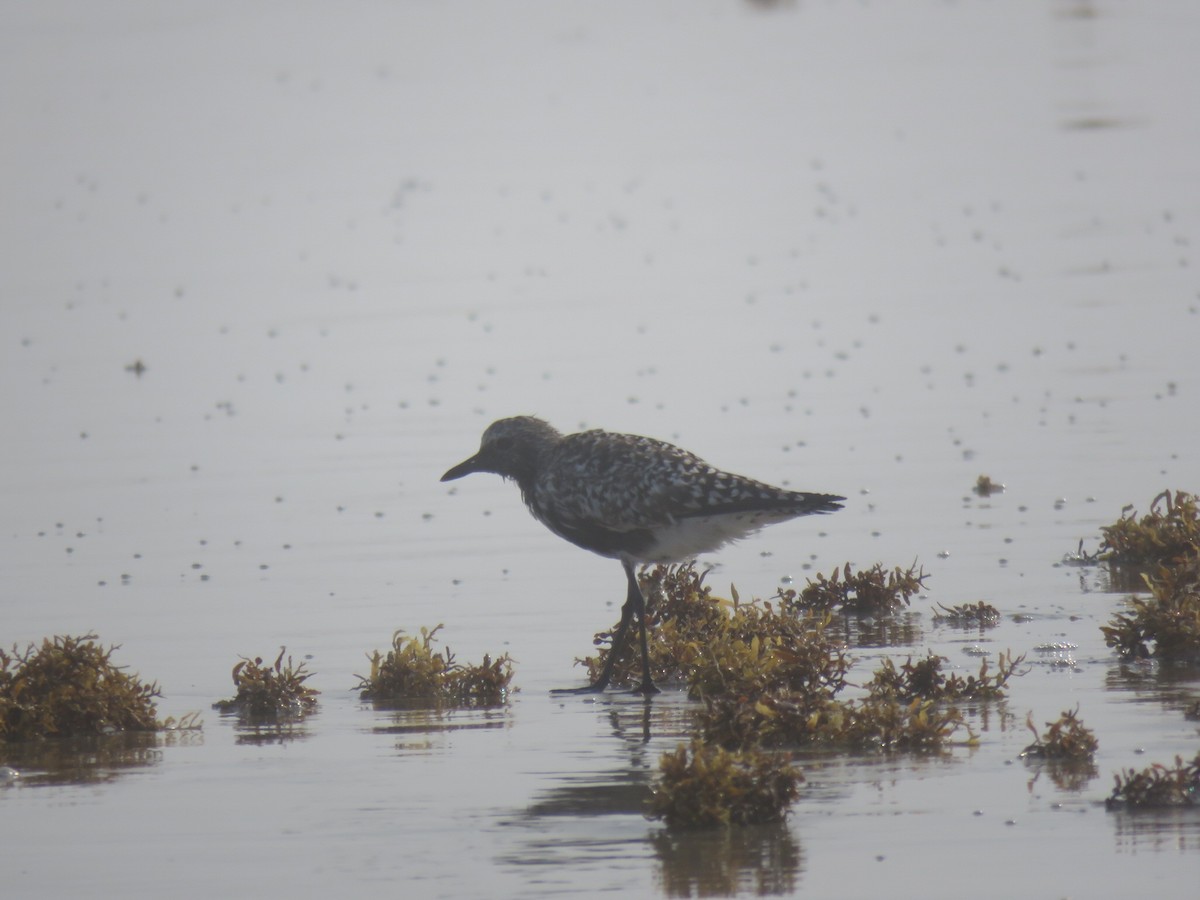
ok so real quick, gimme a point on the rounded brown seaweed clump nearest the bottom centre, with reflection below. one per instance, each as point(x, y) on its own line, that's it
point(707, 787)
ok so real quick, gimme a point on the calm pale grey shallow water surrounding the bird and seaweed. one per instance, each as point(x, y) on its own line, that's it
point(875, 250)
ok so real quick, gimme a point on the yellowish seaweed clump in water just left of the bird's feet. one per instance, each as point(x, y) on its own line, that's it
point(415, 674)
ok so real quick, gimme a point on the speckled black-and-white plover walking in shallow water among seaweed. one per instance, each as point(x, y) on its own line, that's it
point(632, 499)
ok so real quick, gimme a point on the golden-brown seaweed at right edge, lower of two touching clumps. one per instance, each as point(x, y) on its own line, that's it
point(1167, 623)
